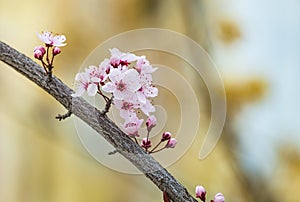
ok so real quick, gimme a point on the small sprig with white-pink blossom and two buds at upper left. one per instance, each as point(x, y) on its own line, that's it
point(52, 44)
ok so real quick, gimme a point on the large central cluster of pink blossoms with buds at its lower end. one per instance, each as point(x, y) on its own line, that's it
point(129, 79)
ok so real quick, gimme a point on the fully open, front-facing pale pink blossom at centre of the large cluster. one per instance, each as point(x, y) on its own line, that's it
point(122, 84)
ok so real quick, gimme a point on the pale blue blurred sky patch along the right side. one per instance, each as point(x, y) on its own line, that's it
point(269, 48)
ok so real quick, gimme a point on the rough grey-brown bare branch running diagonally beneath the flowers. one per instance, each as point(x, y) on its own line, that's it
point(100, 123)
